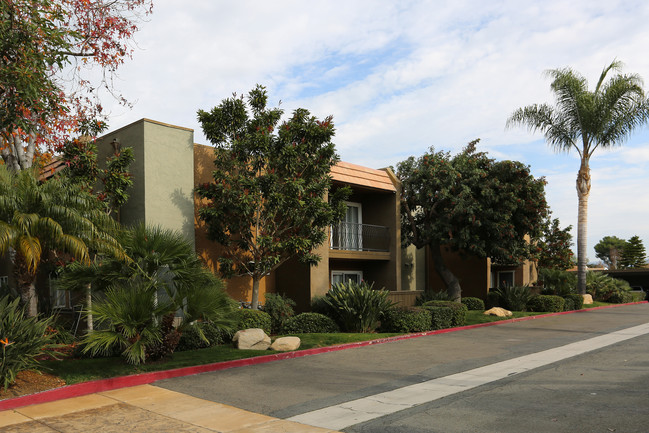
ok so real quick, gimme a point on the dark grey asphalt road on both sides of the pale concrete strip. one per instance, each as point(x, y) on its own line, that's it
point(605, 390)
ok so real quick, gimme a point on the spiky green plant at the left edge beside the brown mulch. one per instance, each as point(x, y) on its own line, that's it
point(23, 341)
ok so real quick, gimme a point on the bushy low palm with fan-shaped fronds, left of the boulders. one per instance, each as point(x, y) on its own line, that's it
point(164, 277)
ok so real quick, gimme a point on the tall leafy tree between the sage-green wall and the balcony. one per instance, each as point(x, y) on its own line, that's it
point(268, 202)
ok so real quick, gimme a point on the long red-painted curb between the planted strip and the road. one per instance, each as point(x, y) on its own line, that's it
point(85, 388)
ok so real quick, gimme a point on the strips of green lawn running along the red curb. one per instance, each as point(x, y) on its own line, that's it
point(82, 370)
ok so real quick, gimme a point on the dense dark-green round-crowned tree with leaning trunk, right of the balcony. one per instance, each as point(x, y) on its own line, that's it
point(470, 203)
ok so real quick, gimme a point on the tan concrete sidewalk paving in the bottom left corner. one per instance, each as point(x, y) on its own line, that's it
point(143, 408)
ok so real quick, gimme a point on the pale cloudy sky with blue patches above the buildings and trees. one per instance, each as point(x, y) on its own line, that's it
point(401, 76)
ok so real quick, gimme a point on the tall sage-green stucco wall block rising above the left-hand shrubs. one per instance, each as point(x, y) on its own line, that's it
point(163, 175)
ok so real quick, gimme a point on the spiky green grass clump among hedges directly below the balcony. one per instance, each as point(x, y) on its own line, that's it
point(357, 307)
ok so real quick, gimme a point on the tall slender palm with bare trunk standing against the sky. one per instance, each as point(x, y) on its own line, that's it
point(585, 121)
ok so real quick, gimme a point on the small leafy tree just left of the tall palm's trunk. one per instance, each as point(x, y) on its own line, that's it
point(554, 248)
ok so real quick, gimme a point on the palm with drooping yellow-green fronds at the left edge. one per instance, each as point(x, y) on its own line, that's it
point(40, 217)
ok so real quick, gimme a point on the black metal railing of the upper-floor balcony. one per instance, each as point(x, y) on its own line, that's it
point(360, 237)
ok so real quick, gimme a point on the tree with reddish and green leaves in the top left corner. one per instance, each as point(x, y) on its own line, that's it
point(49, 52)
